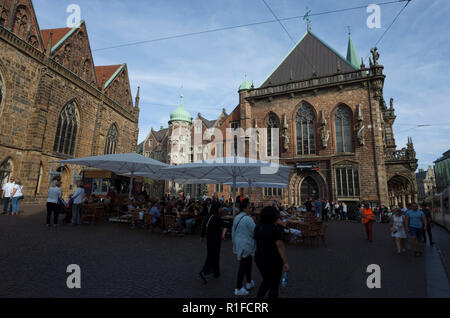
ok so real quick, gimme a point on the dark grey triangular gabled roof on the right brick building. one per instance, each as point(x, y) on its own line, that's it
point(311, 55)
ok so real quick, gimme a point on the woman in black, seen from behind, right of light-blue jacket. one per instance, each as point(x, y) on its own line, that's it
point(270, 256)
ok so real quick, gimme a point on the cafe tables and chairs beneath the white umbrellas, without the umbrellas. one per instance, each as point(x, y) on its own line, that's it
point(307, 229)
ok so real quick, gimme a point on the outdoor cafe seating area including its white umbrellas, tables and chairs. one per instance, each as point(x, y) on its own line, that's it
point(174, 216)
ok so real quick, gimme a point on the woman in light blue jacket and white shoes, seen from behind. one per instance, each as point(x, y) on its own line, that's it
point(244, 247)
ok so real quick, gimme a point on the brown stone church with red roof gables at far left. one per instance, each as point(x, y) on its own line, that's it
point(55, 103)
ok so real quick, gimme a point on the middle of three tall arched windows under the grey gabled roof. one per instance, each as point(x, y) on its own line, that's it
point(306, 136)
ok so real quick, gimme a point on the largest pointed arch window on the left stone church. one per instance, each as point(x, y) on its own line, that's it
point(66, 131)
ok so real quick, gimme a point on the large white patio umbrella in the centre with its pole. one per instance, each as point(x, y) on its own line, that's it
point(232, 170)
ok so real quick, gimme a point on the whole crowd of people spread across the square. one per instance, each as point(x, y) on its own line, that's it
point(257, 233)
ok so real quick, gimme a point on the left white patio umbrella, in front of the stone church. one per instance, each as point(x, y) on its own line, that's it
point(128, 163)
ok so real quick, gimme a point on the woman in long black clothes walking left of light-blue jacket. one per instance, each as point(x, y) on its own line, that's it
point(213, 231)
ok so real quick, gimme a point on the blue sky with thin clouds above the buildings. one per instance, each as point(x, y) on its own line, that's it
point(208, 69)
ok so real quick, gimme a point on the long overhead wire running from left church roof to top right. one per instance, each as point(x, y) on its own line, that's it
point(240, 26)
